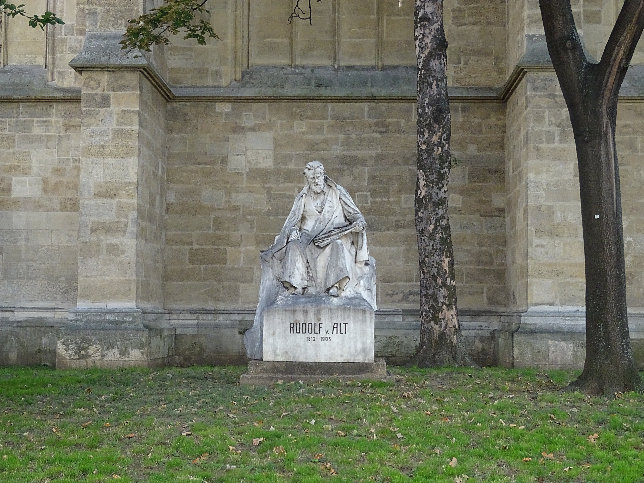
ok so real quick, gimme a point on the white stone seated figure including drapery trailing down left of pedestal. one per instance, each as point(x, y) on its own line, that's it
point(321, 251)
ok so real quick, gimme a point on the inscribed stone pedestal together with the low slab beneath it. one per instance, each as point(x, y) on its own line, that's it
point(311, 338)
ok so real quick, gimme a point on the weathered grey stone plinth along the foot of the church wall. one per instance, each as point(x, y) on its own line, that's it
point(543, 337)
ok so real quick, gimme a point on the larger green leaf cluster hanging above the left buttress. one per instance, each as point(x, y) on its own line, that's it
point(189, 17)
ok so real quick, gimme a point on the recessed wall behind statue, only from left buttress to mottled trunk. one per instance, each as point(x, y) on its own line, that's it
point(235, 168)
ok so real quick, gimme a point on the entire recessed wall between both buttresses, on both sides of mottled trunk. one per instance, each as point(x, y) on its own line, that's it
point(235, 168)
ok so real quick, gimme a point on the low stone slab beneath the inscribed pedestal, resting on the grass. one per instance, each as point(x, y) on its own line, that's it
point(263, 373)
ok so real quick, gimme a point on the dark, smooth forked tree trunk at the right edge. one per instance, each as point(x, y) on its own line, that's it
point(591, 91)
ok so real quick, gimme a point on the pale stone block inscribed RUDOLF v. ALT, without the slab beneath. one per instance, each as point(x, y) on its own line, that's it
point(319, 329)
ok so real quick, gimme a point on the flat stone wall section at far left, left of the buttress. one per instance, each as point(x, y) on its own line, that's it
point(39, 183)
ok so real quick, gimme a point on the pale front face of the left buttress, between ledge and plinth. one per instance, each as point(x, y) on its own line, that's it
point(108, 192)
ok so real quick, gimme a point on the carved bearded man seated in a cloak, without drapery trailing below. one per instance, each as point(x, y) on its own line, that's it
point(322, 240)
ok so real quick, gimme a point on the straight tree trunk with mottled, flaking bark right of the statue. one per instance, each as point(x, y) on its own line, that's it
point(439, 326)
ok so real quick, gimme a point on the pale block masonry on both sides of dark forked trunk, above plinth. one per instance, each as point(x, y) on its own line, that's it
point(544, 220)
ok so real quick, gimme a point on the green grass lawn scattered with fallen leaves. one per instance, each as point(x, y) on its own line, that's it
point(198, 424)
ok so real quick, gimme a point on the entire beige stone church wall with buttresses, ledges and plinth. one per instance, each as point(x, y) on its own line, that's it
point(141, 196)
